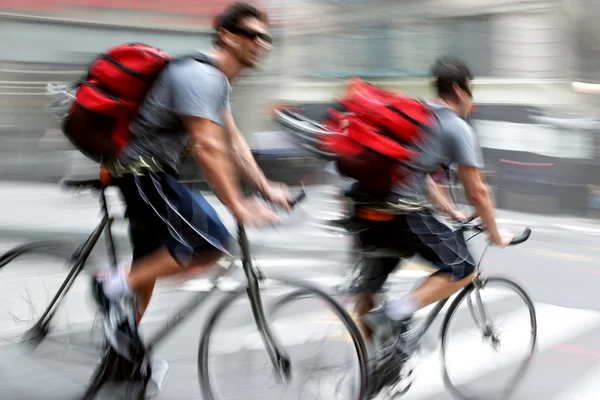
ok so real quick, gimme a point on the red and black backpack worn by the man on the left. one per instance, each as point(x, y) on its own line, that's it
point(109, 97)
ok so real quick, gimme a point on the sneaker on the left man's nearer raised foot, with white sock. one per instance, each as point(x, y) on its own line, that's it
point(119, 322)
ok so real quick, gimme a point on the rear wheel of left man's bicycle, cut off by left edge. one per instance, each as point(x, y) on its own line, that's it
point(62, 348)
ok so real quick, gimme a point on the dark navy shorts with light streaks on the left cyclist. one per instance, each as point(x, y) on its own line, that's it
point(164, 212)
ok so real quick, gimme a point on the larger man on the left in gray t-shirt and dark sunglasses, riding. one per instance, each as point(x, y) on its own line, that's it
point(172, 227)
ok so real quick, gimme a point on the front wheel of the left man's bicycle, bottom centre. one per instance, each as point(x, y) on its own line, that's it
point(326, 351)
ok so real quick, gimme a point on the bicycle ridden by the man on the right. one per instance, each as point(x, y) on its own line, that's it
point(471, 295)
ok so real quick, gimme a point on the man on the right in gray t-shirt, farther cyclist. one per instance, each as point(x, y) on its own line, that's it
point(418, 229)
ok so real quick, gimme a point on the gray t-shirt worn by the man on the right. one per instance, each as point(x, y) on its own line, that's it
point(451, 140)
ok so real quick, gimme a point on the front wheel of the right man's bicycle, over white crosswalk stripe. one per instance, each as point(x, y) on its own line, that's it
point(488, 339)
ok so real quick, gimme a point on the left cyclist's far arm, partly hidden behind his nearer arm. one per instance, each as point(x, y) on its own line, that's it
point(243, 157)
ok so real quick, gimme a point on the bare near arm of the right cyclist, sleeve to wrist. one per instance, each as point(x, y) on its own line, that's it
point(478, 196)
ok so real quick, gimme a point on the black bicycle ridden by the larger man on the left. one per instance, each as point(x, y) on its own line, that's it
point(279, 359)
